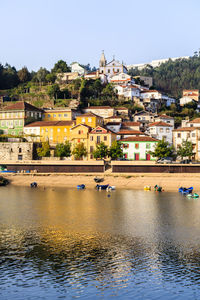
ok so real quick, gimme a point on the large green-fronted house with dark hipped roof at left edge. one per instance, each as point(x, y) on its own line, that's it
point(13, 118)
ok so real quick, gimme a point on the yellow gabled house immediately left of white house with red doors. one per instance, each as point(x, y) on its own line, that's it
point(98, 135)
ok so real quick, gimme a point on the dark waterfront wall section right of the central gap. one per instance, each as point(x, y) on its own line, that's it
point(130, 167)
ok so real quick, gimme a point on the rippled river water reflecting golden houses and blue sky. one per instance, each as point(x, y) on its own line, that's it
point(65, 244)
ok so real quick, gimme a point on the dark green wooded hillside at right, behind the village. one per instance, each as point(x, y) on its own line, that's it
point(174, 76)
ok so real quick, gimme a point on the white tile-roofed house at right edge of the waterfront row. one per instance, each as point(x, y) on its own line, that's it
point(191, 134)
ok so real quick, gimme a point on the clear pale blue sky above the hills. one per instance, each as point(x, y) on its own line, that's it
point(38, 33)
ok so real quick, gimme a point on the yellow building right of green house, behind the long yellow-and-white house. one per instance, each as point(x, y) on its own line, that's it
point(65, 114)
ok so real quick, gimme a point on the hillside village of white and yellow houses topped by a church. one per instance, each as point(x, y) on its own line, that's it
point(82, 131)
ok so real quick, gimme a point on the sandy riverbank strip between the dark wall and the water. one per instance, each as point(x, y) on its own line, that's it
point(170, 182)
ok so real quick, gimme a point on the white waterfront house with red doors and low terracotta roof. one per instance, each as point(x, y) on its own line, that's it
point(138, 147)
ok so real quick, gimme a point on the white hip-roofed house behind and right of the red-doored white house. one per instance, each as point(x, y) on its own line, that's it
point(161, 130)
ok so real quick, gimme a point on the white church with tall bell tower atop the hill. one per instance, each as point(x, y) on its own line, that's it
point(114, 67)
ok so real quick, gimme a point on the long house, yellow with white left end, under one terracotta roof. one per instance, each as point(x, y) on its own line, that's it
point(52, 131)
